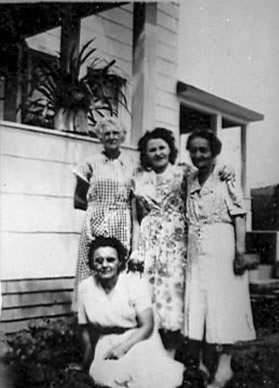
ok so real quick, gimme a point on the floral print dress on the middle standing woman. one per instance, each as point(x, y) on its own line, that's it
point(162, 242)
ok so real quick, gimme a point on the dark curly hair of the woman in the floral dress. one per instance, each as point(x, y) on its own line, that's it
point(157, 133)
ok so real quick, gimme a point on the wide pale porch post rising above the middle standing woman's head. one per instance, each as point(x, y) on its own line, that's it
point(144, 69)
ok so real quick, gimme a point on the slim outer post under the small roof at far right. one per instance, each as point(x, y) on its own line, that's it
point(245, 188)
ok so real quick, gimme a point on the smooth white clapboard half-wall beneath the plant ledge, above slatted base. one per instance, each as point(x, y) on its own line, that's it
point(40, 229)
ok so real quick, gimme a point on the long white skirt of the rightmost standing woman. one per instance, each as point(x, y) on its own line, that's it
point(216, 300)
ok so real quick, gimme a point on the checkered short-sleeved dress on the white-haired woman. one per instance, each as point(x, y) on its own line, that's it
point(109, 204)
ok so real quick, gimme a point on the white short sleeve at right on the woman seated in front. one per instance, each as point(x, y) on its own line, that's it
point(140, 293)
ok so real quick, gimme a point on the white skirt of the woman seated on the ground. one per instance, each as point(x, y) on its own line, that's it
point(146, 365)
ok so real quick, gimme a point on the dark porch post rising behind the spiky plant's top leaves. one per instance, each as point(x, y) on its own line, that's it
point(70, 36)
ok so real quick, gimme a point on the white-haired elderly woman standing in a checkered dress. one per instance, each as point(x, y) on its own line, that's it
point(103, 189)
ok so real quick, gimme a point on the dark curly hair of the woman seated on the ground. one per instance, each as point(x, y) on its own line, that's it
point(112, 242)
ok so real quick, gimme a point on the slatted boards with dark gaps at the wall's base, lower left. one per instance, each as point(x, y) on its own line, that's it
point(33, 299)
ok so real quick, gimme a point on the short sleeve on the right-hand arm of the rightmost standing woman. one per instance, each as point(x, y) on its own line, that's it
point(234, 200)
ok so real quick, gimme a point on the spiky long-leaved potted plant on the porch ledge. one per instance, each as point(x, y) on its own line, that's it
point(67, 99)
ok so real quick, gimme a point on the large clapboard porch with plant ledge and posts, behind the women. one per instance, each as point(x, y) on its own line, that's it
point(39, 227)
